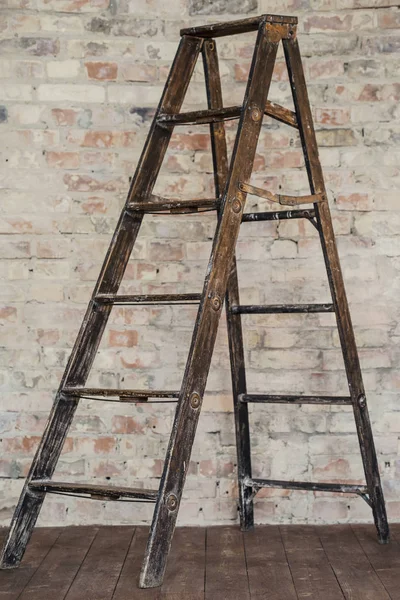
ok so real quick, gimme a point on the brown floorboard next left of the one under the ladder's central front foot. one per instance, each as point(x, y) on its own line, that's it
point(99, 573)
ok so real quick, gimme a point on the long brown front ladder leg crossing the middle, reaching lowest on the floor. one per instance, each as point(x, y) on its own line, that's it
point(205, 331)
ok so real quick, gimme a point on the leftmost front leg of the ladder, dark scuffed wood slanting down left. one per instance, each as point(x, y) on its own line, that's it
point(96, 317)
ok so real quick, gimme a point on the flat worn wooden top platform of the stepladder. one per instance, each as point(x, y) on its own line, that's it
point(235, 27)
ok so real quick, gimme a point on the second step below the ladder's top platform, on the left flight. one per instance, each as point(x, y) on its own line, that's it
point(155, 204)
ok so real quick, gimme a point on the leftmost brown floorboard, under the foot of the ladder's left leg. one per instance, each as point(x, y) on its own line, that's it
point(13, 581)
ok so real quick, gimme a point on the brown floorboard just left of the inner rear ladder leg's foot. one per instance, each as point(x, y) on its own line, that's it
point(226, 573)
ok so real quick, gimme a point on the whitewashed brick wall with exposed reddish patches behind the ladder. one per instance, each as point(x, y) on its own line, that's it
point(80, 80)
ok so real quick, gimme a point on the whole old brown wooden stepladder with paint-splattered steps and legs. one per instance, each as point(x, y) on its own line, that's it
point(232, 186)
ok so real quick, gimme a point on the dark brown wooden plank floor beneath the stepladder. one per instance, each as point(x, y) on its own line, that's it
point(219, 563)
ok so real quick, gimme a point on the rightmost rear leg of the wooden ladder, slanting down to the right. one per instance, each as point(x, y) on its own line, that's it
point(345, 328)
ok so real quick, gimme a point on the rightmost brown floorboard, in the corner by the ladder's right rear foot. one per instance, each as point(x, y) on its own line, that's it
point(384, 558)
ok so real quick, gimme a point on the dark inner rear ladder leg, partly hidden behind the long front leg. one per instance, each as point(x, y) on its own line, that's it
point(235, 336)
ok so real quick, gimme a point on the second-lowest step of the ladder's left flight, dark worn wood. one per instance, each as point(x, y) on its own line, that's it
point(114, 395)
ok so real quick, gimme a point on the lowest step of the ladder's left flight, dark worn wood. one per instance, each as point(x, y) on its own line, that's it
point(98, 492)
